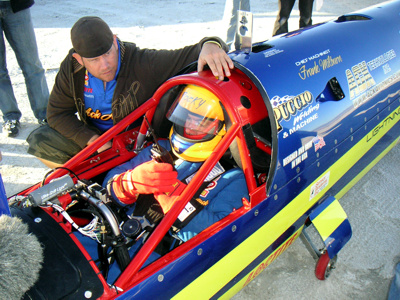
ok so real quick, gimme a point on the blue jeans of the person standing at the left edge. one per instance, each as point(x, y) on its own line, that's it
point(18, 29)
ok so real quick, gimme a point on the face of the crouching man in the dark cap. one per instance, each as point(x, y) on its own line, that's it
point(103, 67)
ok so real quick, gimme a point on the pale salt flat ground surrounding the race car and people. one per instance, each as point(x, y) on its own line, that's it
point(365, 265)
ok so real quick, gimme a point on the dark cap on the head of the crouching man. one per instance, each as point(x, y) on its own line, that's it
point(91, 37)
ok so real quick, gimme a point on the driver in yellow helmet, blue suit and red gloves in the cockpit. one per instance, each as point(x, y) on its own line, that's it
point(198, 126)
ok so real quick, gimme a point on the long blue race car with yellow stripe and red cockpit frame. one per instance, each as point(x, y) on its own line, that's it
point(308, 113)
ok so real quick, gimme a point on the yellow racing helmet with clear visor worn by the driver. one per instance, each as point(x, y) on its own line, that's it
point(198, 124)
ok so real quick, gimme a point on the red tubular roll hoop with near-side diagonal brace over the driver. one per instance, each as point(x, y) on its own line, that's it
point(131, 274)
